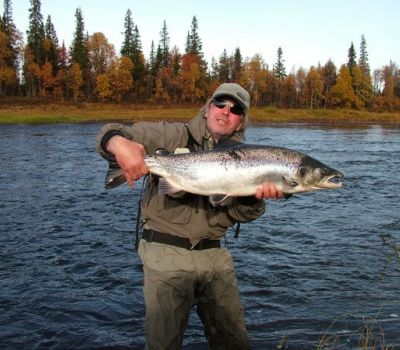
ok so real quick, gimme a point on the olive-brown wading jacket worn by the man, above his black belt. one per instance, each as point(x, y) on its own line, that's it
point(185, 214)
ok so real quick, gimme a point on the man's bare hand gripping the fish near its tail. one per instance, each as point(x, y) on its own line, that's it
point(129, 156)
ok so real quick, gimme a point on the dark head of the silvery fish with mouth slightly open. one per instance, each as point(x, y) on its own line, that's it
point(314, 175)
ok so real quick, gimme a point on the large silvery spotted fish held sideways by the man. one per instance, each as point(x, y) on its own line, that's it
point(236, 170)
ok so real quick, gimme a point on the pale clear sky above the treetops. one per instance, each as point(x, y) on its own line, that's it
point(310, 32)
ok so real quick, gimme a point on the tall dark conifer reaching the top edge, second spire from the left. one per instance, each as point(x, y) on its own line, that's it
point(36, 34)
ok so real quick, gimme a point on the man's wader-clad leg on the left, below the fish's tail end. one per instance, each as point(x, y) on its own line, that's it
point(168, 293)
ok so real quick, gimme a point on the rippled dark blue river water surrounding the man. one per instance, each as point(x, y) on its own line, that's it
point(321, 270)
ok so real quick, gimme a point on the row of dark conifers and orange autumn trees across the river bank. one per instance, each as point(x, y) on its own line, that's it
point(91, 70)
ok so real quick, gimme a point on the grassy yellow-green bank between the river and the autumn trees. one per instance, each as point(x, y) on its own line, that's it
point(85, 112)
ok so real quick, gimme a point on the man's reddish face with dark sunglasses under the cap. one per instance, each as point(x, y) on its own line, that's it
point(224, 117)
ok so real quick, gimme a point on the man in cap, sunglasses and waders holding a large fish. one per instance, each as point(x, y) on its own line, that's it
point(183, 261)
